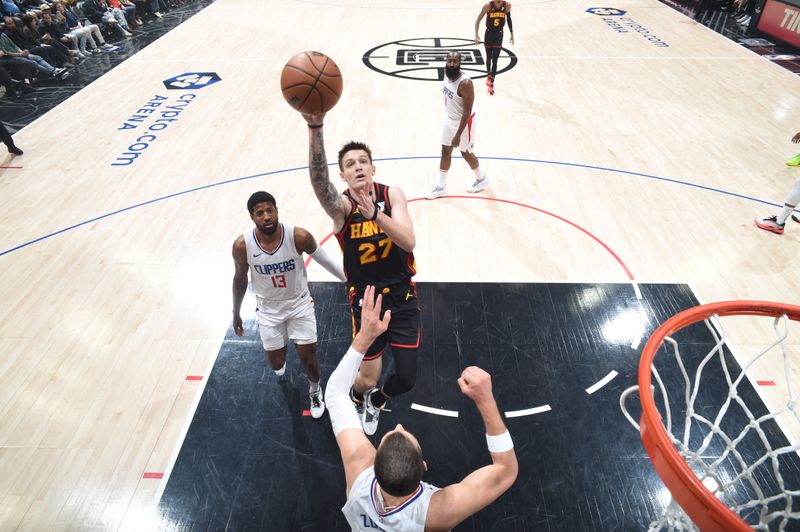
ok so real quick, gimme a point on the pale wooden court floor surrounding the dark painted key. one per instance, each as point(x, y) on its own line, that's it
point(615, 160)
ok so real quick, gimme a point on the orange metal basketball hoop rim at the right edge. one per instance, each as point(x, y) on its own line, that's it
point(706, 510)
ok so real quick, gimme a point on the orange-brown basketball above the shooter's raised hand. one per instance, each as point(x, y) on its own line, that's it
point(311, 82)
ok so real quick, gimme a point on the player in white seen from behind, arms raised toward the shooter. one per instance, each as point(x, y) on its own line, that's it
point(384, 487)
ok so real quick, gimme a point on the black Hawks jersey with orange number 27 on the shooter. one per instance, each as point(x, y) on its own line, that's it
point(370, 256)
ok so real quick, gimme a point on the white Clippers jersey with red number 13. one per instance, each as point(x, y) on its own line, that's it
point(279, 275)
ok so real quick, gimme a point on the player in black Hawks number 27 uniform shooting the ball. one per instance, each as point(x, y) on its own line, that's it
point(375, 232)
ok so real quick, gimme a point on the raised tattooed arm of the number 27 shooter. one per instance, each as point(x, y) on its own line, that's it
point(334, 203)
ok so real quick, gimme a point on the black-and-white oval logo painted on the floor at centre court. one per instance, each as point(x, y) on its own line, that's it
point(424, 59)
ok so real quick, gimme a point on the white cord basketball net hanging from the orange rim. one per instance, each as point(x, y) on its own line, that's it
point(750, 484)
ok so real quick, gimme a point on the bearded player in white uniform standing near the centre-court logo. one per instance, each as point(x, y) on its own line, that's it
point(459, 127)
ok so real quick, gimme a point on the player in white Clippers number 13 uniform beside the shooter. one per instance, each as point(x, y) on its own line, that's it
point(273, 255)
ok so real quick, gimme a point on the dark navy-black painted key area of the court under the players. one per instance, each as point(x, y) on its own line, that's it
point(252, 461)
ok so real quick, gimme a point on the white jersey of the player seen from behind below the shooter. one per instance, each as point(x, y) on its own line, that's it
point(364, 509)
